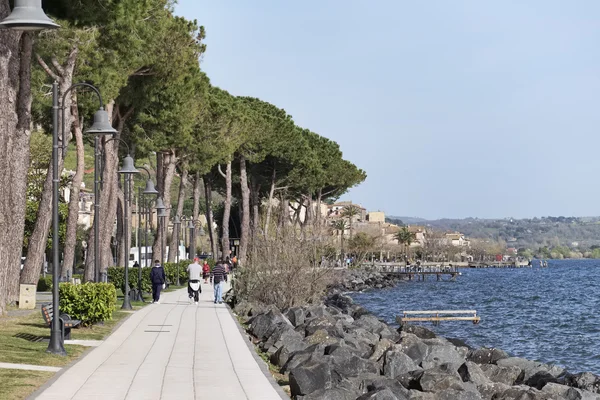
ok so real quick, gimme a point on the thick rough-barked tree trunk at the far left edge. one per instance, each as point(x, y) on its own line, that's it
point(15, 131)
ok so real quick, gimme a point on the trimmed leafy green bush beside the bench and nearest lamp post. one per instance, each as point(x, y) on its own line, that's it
point(89, 302)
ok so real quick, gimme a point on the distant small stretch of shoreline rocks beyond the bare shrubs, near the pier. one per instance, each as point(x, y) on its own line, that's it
point(357, 280)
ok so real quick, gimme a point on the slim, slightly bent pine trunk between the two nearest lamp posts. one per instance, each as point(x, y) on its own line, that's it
point(71, 233)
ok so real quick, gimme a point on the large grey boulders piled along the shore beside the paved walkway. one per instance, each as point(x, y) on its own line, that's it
point(338, 351)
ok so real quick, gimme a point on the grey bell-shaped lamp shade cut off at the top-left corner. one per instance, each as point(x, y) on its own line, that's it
point(28, 15)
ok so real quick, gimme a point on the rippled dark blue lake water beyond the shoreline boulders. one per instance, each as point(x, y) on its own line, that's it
point(544, 314)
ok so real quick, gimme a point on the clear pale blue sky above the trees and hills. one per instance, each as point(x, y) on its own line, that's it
point(453, 108)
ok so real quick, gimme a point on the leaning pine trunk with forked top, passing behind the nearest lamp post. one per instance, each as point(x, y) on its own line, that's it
point(39, 237)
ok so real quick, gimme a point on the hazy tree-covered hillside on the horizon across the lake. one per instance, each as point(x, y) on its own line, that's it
point(573, 232)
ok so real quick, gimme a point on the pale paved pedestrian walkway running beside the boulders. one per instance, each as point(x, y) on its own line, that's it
point(171, 350)
